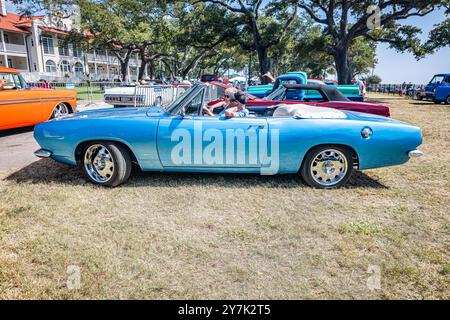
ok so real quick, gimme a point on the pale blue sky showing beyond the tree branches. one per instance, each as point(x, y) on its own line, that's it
point(396, 67)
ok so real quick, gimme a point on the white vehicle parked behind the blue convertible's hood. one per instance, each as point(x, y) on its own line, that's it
point(144, 95)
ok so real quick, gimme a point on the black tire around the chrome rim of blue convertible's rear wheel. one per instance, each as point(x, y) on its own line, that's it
point(307, 168)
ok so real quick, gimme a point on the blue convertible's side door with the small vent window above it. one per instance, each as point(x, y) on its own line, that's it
point(191, 140)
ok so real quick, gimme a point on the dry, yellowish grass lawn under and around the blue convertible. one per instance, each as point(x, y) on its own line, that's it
point(194, 236)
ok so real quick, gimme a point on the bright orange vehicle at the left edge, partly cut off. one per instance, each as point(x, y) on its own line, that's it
point(21, 106)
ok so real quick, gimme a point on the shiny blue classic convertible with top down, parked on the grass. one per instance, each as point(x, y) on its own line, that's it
point(323, 145)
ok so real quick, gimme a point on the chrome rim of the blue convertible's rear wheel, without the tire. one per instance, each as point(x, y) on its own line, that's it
point(329, 167)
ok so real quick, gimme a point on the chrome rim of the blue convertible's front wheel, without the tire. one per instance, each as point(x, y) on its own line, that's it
point(99, 163)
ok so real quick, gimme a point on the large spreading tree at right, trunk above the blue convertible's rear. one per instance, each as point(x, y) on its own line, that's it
point(343, 21)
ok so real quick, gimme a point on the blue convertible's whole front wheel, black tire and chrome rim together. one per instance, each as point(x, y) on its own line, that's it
point(106, 163)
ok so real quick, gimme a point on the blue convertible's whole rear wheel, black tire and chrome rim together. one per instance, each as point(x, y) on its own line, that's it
point(327, 167)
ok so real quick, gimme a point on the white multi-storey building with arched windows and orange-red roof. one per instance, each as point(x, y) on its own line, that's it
point(34, 46)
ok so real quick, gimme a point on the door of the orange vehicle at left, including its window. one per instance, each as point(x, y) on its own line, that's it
point(18, 106)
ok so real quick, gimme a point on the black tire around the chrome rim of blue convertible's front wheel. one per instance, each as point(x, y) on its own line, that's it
point(120, 158)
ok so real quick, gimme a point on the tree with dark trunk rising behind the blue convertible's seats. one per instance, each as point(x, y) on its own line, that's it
point(267, 22)
